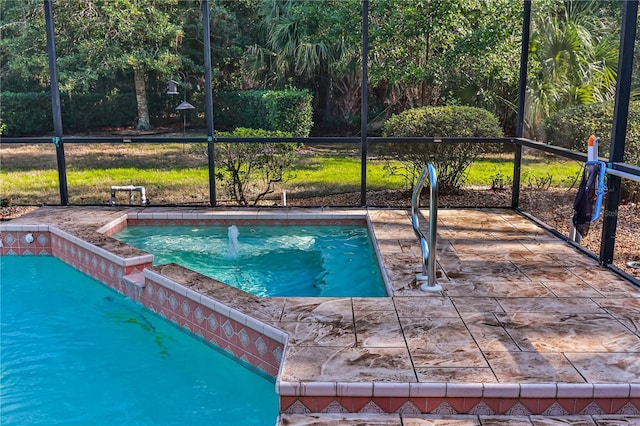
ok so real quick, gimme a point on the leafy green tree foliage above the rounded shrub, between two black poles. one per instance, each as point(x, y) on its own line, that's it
point(435, 53)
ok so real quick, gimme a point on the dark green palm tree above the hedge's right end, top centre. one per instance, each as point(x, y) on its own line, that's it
point(306, 44)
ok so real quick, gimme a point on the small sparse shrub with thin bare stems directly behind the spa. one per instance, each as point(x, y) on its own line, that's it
point(253, 169)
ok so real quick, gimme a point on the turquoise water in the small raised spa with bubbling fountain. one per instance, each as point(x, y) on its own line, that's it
point(303, 261)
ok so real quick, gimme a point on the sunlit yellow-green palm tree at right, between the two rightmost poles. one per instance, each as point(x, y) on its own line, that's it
point(571, 65)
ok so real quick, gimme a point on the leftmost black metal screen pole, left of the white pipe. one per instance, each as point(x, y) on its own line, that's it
point(55, 102)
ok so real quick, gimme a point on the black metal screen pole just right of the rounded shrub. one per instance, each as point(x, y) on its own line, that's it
point(522, 90)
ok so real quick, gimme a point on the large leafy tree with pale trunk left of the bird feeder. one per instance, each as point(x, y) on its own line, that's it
point(96, 40)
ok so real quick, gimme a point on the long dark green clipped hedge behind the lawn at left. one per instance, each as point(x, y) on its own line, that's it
point(30, 113)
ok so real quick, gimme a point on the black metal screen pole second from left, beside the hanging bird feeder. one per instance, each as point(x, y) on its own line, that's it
point(206, 35)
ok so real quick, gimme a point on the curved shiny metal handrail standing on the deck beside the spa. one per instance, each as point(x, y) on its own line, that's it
point(428, 246)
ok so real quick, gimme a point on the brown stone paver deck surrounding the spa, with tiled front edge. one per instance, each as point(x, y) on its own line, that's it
point(526, 325)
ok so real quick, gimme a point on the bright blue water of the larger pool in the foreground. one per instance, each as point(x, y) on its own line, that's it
point(74, 352)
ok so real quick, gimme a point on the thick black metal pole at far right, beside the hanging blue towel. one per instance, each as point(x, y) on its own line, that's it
point(619, 130)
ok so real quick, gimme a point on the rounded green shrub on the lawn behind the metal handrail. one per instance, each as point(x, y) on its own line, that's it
point(450, 160)
